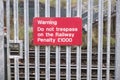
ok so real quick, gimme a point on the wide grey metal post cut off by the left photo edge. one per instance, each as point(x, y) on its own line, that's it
point(2, 74)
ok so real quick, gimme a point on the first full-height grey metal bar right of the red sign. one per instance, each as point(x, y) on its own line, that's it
point(89, 40)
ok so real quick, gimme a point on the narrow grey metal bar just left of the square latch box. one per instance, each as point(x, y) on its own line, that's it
point(8, 37)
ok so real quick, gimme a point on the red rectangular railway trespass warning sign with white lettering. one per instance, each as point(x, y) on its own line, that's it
point(57, 31)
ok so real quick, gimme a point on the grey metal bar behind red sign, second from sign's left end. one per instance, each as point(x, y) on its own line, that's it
point(47, 59)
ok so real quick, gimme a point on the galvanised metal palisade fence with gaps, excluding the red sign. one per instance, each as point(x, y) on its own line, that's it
point(94, 60)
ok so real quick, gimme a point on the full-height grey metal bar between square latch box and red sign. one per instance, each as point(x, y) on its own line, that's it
point(26, 38)
